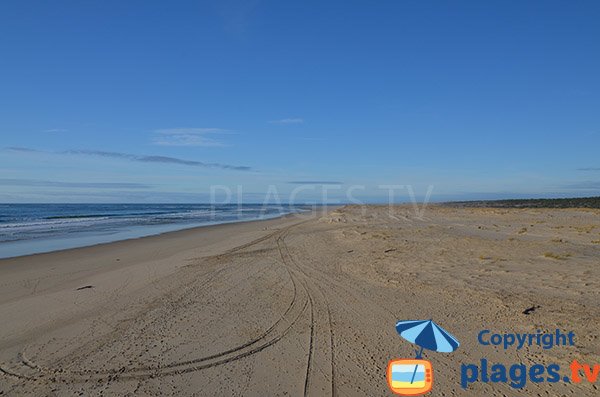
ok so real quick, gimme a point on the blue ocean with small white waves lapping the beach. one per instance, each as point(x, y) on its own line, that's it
point(35, 228)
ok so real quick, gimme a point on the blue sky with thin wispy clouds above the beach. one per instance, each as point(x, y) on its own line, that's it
point(168, 101)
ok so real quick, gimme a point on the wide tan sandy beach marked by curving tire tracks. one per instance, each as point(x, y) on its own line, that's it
point(300, 305)
